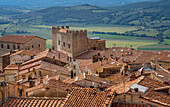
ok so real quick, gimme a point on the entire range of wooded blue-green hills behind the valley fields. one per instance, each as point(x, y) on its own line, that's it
point(148, 14)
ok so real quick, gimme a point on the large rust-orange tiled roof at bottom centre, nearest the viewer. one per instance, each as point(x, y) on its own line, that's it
point(88, 97)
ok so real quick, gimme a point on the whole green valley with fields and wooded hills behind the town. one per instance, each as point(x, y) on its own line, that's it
point(147, 22)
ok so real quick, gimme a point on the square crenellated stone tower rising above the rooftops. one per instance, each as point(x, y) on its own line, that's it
point(68, 41)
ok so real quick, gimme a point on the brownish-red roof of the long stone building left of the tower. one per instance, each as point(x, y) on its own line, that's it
point(17, 38)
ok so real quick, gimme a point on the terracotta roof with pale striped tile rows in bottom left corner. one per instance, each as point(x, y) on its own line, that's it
point(33, 102)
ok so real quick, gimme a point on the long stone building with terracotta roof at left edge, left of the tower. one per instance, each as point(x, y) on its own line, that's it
point(9, 43)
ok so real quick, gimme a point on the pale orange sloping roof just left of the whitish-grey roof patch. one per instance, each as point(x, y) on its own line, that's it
point(120, 87)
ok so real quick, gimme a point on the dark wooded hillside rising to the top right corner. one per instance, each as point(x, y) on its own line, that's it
point(148, 14)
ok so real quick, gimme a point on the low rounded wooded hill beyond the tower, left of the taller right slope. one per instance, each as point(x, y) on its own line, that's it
point(76, 14)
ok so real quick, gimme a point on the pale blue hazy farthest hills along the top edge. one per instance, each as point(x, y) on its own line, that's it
point(49, 3)
